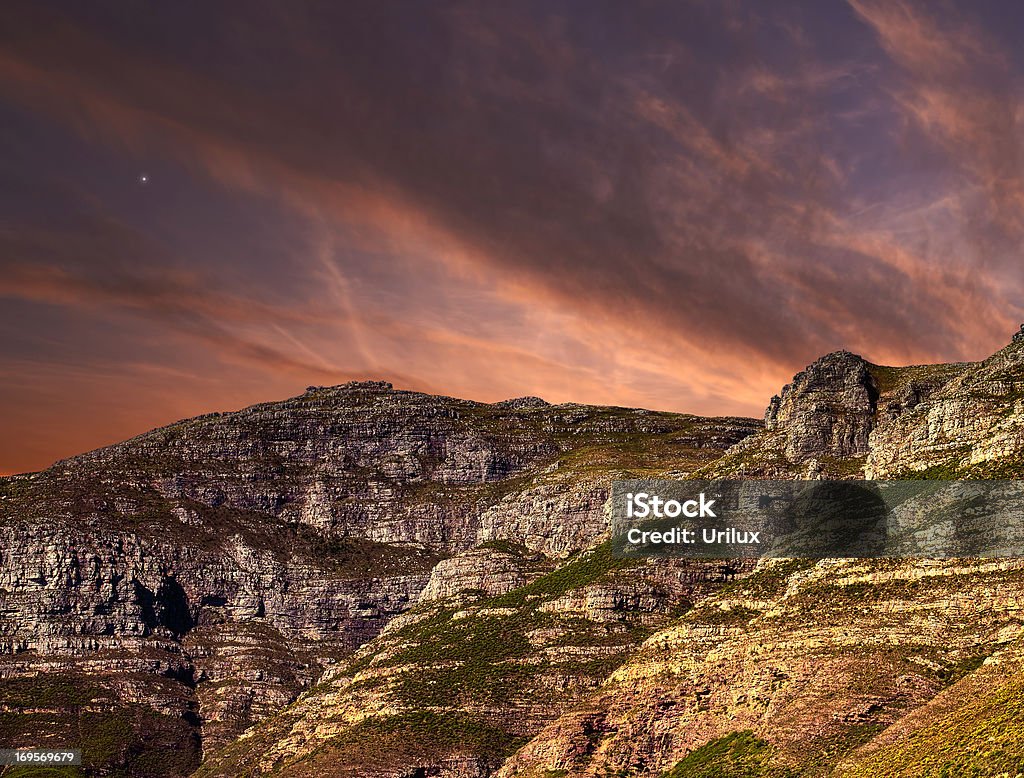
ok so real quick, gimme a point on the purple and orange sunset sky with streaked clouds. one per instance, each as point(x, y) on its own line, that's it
point(669, 205)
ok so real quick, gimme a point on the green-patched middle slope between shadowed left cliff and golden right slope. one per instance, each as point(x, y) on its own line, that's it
point(505, 666)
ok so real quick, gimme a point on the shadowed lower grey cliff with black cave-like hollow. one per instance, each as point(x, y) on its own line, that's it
point(209, 638)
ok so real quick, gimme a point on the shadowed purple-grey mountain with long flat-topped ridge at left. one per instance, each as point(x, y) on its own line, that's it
point(182, 586)
